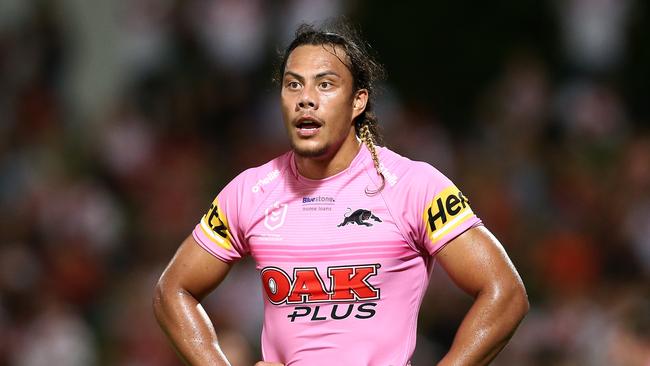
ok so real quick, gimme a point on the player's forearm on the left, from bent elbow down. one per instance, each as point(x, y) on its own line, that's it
point(189, 328)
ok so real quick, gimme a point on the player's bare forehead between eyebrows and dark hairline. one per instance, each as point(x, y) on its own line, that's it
point(312, 59)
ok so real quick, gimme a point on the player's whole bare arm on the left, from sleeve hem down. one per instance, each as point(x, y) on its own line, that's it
point(189, 277)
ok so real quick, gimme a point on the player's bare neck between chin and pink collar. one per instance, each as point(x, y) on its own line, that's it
point(323, 167)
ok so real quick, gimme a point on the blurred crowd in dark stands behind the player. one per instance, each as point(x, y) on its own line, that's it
point(120, 120)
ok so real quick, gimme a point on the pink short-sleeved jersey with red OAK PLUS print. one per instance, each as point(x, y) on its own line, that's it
point(343, 272)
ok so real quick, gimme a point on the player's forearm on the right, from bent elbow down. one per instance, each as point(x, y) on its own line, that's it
point(487, 328)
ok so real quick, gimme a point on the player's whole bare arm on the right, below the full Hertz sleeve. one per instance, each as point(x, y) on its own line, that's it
point(479, 265)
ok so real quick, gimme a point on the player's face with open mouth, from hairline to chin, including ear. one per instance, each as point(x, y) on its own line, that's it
point(318, 101)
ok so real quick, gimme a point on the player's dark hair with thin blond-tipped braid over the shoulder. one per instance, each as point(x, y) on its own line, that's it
point(366, 73)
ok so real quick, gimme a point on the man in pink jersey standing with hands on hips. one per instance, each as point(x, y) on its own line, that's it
point(345, 235)
